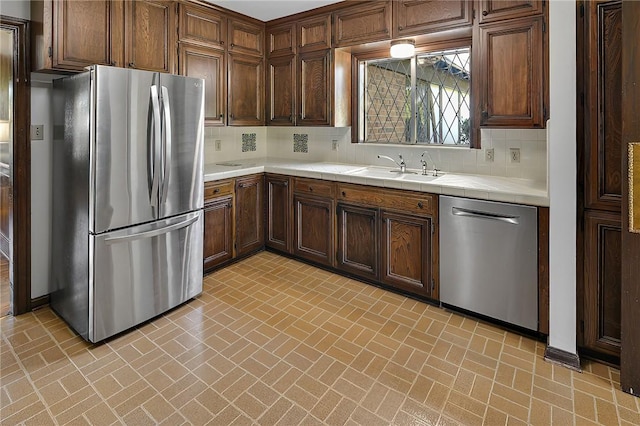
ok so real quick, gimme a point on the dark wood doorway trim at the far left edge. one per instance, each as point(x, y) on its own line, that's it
point(21, 191)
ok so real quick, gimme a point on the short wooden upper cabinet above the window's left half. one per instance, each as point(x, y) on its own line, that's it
point(362, 23)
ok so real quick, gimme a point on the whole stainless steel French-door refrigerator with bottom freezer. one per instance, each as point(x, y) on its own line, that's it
point(127, 183)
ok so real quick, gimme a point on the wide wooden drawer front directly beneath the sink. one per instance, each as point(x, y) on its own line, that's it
point(406, 201)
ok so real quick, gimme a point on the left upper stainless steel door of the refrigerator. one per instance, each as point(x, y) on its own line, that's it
point(125, 183)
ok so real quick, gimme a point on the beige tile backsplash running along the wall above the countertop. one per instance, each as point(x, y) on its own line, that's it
point(277, 142)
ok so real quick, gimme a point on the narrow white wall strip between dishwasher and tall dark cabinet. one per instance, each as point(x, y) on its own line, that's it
point(562, 175)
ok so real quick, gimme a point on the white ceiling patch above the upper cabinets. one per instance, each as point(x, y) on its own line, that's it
point(266, 10)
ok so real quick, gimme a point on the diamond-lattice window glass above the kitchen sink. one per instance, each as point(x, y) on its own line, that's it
point(421, 100)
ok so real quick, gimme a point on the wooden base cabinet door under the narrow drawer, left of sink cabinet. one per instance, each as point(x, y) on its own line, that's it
point(314, 228)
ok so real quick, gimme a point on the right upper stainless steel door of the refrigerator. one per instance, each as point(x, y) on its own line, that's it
point(182, 103)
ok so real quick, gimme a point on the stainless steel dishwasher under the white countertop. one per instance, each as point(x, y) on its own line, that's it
point(489, 259)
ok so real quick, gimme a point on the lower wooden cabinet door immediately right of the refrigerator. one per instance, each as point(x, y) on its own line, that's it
point(218, 232)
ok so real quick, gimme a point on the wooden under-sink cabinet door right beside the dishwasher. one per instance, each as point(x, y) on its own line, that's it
point(406, 252)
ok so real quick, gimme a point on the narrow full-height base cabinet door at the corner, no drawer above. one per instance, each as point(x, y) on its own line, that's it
point(278, 213)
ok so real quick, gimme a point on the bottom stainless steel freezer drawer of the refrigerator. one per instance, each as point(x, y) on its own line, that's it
point(141, 272)
